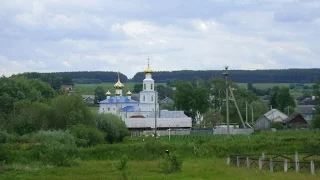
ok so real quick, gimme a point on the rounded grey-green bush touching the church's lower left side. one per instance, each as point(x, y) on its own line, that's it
point(112, 126)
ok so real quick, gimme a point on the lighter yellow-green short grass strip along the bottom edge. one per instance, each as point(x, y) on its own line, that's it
point(213, 168)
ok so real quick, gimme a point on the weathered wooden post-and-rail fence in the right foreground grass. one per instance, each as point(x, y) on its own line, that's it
point(299, 162)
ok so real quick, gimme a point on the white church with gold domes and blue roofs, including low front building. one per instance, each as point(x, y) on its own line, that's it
point(144, 113)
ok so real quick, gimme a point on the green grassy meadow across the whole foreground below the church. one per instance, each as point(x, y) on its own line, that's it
point(204, 157)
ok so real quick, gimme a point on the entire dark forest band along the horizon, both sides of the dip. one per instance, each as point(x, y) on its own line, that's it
point(238, 76)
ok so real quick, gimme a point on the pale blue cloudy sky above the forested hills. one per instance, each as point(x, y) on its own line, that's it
point(117, 35)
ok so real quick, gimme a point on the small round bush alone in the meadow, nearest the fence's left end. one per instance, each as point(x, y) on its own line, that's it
point(171, 163)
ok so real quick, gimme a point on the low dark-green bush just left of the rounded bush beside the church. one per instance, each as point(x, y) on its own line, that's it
point(87, 136)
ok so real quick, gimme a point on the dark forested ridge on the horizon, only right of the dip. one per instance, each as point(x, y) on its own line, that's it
point(239, 76)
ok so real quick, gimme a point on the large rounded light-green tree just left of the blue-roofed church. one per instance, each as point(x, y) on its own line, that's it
point(70, 110)
